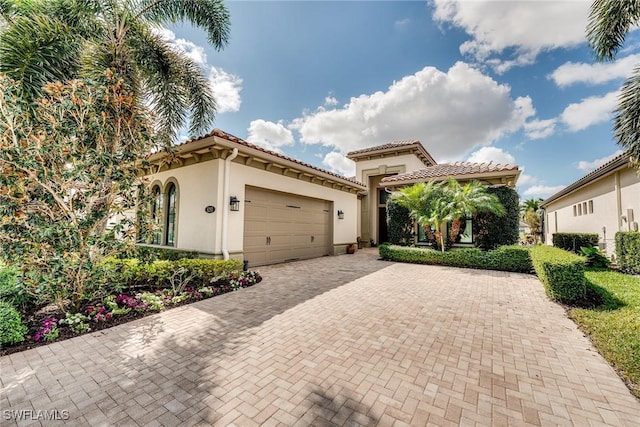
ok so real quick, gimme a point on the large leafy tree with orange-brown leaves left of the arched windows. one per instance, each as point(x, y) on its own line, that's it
point(67, 168)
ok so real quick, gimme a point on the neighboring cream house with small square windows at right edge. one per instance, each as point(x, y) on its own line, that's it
point(604, 201)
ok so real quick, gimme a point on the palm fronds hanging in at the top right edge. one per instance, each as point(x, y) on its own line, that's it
point(609, 23)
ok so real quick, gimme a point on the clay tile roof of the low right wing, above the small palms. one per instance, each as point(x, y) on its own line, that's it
point(444, 170)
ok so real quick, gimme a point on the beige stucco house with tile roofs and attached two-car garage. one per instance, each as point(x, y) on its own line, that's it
point(228, 198)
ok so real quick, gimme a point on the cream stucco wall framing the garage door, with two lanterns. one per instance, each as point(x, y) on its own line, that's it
point(344, 230)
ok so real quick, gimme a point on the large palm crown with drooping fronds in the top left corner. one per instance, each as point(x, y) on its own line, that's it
point(56, 40)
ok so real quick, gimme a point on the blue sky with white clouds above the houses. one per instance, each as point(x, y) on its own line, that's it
point(502, 81)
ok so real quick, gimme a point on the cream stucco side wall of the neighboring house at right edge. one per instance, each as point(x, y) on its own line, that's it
point(606, 209)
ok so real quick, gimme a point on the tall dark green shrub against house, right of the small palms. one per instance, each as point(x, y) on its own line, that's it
point(491, 231)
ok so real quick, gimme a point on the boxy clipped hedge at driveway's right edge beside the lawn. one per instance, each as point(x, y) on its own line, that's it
point(561, 272)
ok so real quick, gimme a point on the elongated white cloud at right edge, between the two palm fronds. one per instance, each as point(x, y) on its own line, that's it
point(571, 72)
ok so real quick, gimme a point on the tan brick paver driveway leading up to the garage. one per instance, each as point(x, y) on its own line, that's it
point(345, 340)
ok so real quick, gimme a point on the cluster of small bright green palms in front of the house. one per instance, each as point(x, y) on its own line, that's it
point(433, 204)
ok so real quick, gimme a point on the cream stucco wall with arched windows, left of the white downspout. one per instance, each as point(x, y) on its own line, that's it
point(198, 186)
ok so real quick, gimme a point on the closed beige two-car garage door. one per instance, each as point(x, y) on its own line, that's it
point(281, 227)
